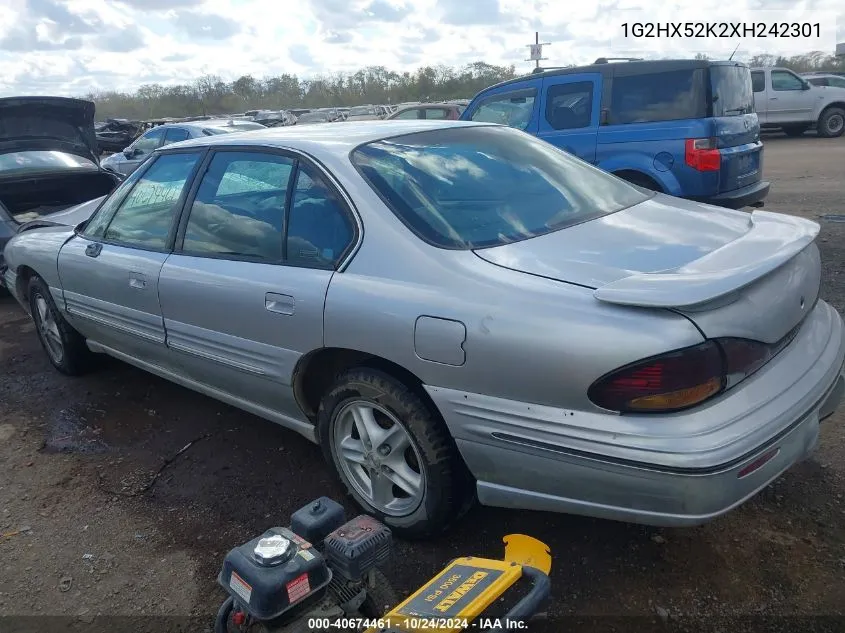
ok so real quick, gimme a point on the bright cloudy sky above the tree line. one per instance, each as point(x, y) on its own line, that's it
point(73, 47)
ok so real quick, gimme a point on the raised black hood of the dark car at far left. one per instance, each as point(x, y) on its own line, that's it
point(57, 124)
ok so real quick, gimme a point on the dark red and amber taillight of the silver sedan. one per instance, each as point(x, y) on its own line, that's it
point(681, 379)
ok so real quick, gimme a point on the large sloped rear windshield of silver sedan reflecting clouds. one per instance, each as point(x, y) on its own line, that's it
point(474, 187)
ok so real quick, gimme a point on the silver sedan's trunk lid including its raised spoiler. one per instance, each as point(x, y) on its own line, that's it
point(690, 257)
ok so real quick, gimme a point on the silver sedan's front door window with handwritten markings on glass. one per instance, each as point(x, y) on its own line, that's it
point(146, 215)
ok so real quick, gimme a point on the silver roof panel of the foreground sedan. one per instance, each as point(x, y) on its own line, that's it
point(337, 140)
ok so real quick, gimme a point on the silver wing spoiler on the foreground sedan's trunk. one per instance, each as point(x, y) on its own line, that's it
point(771, 241)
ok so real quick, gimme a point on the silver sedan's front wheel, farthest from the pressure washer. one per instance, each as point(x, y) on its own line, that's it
point(64, 346)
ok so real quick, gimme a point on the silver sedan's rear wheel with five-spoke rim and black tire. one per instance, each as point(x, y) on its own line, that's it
point(428, 457)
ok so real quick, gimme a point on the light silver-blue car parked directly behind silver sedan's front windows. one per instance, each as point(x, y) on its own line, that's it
point(127, 161)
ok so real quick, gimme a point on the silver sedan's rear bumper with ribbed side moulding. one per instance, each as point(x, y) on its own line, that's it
point(531, 457)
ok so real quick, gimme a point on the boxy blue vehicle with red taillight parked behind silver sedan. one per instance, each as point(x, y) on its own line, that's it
point(682, 127)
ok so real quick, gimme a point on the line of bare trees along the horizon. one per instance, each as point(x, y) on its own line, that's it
point(210, 94)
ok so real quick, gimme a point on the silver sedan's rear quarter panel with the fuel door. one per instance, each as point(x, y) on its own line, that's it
point(525, 338)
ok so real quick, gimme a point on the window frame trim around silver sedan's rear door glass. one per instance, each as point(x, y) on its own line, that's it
point(298, 158)
